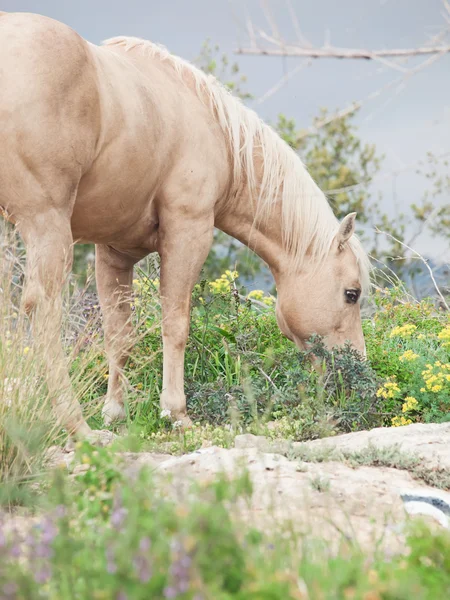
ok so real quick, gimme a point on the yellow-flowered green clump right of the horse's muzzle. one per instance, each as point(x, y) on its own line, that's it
point(408, 345)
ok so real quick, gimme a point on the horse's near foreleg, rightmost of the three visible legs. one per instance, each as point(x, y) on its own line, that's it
point(183, 247)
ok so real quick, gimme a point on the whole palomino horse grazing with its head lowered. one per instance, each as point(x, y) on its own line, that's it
point(137, 151)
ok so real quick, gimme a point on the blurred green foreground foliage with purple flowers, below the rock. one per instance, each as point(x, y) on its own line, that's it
point(150, 545)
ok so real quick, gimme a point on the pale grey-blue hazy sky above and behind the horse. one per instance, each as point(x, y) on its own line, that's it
point(405, 121)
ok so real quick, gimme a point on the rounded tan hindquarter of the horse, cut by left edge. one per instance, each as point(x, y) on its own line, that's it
point(48, 114)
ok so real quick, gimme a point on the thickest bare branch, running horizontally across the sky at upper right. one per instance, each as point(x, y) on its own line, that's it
point(347, 53)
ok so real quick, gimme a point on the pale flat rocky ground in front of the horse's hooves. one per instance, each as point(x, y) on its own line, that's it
point(361, 487)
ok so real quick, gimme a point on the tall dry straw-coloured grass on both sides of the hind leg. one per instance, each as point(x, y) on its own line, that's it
point(27, 422)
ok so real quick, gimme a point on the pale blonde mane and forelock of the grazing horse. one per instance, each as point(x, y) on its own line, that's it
point(308, 223)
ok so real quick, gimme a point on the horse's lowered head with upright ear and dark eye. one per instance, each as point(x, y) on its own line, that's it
point(324, 300)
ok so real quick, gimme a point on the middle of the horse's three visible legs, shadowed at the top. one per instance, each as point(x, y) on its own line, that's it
point(114, 275)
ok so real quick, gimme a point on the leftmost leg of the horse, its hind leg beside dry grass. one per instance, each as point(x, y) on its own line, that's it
point(48, 241)
